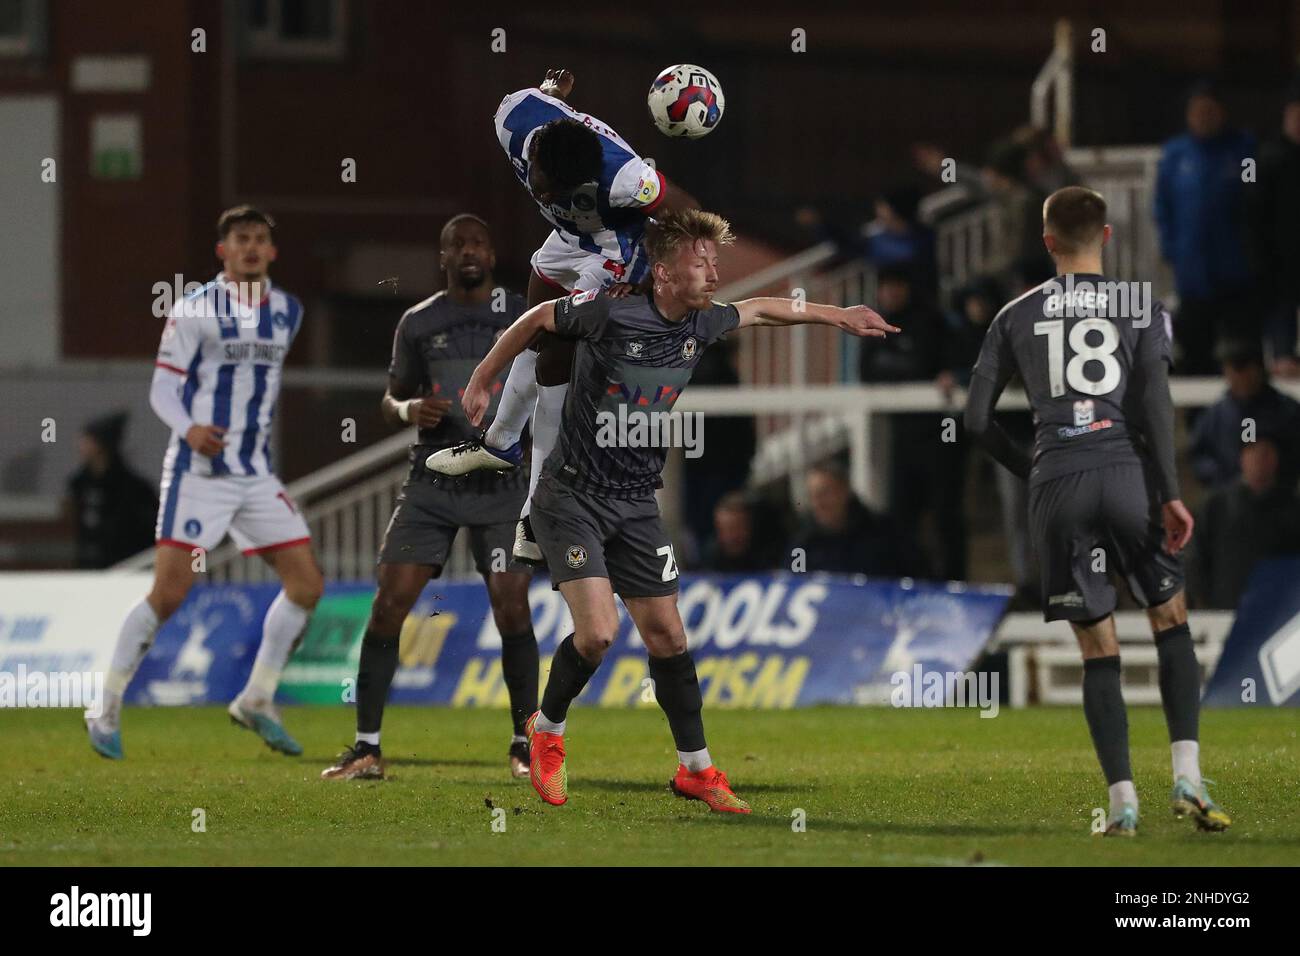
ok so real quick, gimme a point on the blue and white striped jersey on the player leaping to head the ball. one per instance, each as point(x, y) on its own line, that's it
point(605, 218)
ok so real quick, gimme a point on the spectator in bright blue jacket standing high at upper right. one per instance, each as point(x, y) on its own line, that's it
point(1202, 220)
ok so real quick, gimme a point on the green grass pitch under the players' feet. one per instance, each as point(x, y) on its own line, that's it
point(879, 788)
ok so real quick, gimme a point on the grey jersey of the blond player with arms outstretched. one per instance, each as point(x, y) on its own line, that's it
point(631, 364)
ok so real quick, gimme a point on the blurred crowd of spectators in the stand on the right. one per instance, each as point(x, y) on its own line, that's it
point(1225, 213)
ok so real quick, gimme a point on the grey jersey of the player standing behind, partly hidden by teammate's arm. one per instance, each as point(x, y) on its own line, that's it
point(436, 348)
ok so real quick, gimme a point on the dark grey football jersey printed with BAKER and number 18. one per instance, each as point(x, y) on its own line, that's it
point(1076, 356)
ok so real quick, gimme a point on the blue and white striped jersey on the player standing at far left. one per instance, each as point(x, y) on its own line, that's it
point(232, 356)
